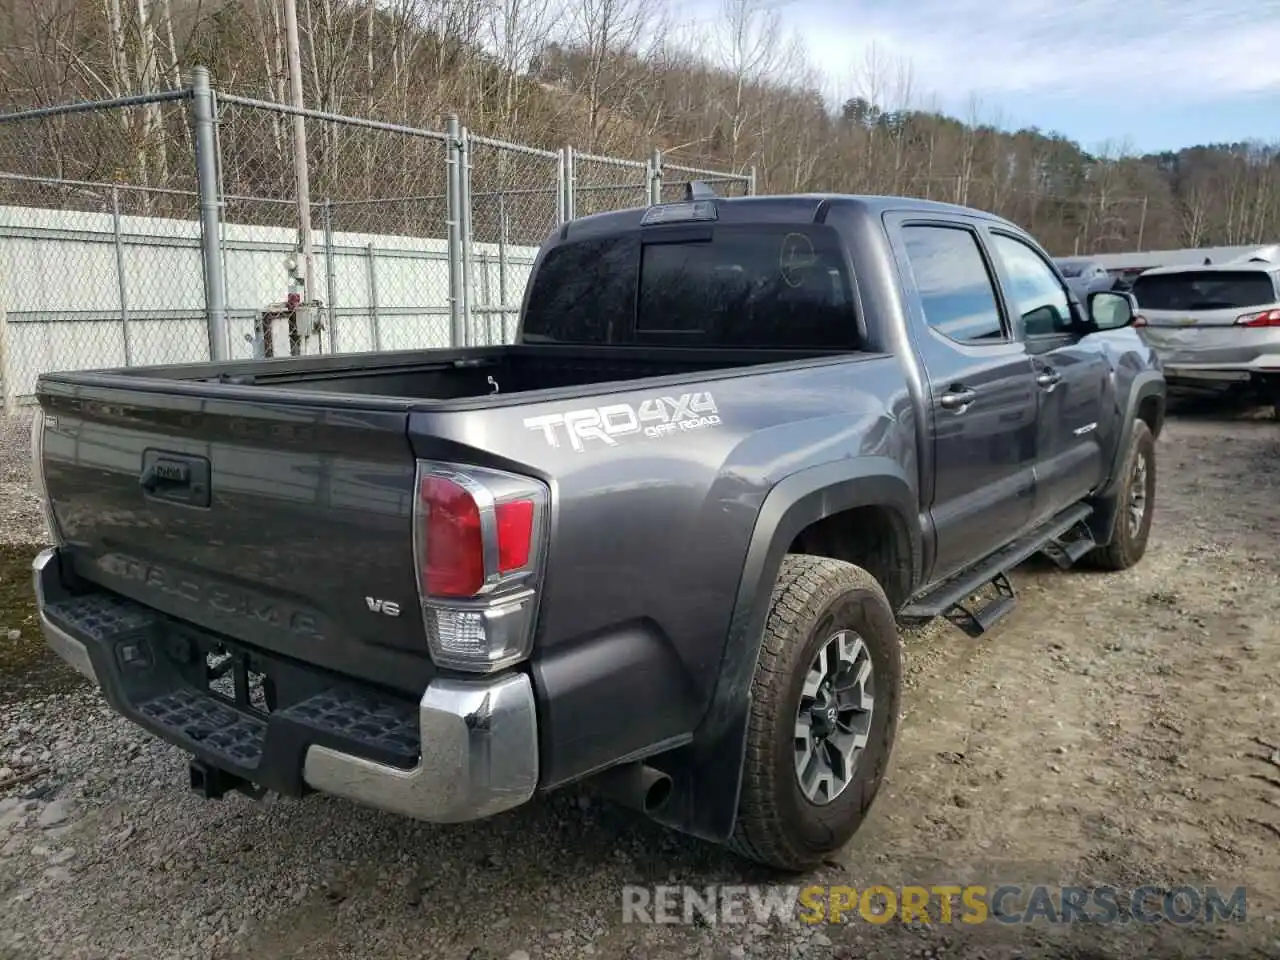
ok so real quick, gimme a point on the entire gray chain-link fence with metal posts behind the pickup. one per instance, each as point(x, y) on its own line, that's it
point(180, 227)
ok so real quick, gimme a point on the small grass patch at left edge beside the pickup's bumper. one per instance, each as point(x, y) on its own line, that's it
point(28, 668)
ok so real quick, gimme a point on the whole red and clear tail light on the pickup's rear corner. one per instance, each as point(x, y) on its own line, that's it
point(479, 543)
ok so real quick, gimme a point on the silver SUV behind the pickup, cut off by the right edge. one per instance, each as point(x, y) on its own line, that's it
point(1214, 326)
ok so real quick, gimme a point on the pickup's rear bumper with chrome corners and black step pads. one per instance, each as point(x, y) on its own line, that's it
point(465, 751)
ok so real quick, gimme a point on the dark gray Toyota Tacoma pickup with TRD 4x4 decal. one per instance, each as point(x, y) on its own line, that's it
point(660, 545)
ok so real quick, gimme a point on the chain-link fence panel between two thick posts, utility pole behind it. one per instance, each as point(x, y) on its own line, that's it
point(367, 268)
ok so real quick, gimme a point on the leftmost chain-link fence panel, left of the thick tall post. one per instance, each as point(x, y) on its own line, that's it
point(100, 241)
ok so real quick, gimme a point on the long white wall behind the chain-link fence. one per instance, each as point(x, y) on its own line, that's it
point(61, 291)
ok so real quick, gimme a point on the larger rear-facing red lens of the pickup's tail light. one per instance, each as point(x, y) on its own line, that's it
point(454, 561)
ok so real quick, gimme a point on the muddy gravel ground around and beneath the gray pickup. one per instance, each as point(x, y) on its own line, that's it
point(1117, 729)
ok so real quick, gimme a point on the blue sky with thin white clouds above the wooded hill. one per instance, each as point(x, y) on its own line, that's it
point(1148, 75)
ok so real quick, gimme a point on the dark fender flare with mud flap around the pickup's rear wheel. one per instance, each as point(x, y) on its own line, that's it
point(708, 772)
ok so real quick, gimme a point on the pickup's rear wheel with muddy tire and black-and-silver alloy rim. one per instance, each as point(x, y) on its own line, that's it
point(834, 614)
